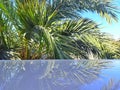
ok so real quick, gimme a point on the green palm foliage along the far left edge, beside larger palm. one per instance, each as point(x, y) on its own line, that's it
point(7, 33)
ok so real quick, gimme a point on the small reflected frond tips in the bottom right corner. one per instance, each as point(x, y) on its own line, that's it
point(112, 86)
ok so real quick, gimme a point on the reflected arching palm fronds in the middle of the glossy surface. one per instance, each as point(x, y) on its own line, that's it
point(73, 71)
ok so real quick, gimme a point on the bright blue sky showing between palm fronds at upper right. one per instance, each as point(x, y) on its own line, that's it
point(113, 28)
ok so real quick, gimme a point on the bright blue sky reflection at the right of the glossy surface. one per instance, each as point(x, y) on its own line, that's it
point(104, 78)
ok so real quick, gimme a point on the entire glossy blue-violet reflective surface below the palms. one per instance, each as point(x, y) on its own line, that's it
point(60, 75)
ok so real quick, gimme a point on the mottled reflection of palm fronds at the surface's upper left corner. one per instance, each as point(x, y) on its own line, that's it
point(11, 69)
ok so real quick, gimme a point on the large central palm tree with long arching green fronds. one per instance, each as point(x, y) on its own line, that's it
point(55, 29)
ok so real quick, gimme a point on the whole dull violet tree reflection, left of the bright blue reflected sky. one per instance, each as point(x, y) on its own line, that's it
point(49, 75)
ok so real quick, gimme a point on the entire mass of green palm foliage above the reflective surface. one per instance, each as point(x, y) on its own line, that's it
point(54, 29)
